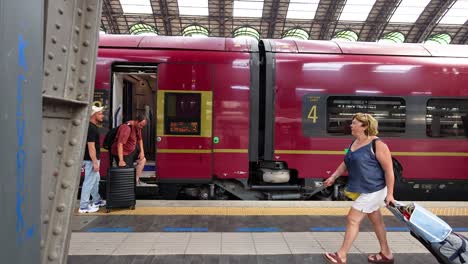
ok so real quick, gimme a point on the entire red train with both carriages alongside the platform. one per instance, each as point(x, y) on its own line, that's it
point(230, 118)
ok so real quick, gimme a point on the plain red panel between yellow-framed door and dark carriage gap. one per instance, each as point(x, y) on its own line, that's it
point(231, 119)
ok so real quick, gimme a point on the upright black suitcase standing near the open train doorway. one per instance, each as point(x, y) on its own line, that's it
point(120, 188)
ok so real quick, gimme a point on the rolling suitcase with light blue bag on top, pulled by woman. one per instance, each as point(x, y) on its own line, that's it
point(436, 235)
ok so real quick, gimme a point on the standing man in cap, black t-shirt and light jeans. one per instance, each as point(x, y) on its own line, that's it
point(91, 164)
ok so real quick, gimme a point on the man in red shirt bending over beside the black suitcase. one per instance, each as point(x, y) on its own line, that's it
point(128, 145)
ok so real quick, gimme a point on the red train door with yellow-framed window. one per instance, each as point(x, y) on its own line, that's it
point(184, 123)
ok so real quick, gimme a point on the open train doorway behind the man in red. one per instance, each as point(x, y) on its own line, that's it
point(134, 89)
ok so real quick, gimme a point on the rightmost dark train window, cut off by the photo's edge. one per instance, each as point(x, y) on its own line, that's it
point(447, 118)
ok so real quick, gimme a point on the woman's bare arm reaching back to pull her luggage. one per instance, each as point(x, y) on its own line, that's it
point(384, 157)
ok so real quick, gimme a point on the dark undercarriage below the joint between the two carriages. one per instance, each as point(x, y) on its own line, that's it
point(267, 181)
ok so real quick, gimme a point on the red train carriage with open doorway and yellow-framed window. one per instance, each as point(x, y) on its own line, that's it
point(196, 95)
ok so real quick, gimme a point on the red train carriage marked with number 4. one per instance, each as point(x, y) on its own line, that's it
point(419, 95)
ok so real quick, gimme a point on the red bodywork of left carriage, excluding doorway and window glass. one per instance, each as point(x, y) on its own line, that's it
point(219, 67)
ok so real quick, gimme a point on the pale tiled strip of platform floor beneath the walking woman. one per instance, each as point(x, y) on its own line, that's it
point(213, 243)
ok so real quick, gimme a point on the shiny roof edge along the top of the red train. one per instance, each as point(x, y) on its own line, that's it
point(282, 46)
